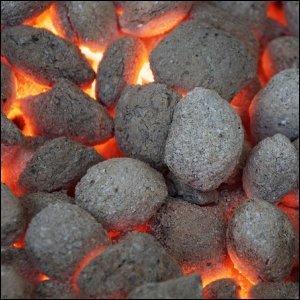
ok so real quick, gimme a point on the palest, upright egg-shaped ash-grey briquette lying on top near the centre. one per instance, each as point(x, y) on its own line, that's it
point(205, 140)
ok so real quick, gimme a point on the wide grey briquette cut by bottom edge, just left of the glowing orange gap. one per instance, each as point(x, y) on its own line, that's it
point(189, 287)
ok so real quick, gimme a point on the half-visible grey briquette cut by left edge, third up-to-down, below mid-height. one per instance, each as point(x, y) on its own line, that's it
point(12, 217)
